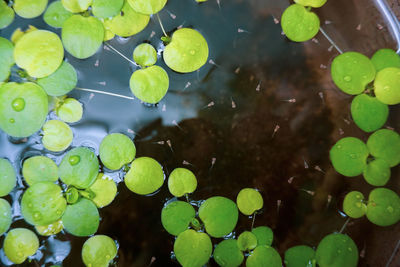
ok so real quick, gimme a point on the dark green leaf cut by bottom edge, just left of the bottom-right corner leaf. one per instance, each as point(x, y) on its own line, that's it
point(300, 256)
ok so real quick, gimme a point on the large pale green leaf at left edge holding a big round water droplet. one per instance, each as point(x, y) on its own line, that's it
point(23, 108)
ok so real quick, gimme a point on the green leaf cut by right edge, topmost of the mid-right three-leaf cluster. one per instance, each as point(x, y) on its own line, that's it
point(385, 144)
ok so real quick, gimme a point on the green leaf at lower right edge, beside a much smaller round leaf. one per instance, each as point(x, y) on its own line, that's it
point(383, 207)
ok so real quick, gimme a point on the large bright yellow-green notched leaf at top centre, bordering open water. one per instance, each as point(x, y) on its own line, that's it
point(187, 51)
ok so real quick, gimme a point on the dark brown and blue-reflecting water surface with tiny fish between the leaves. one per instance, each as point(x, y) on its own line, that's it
point(262, 113)
